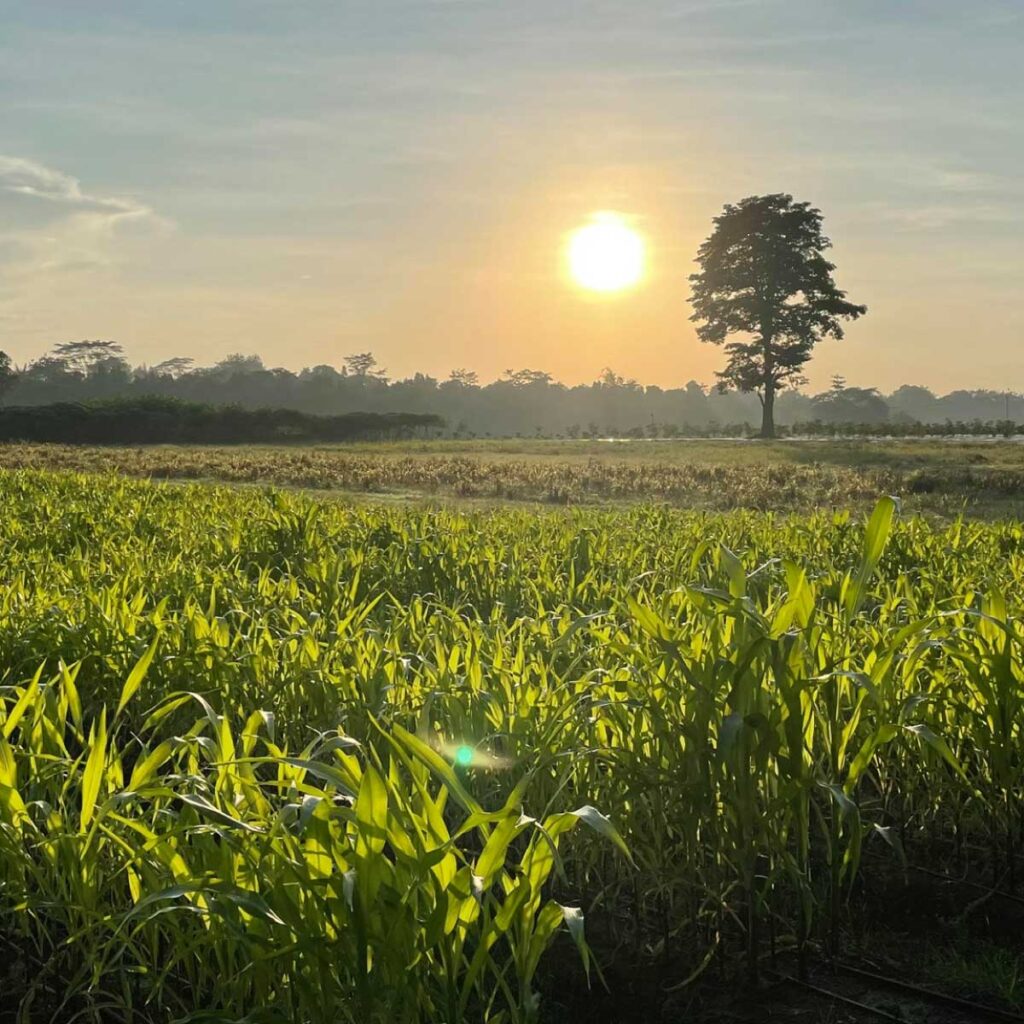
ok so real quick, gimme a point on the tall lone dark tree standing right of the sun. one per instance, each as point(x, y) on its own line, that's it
point(763, 276)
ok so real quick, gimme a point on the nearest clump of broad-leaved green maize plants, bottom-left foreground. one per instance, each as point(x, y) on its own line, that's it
point(219, 870)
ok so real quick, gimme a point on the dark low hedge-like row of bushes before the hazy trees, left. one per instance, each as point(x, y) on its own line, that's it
point(156, 420)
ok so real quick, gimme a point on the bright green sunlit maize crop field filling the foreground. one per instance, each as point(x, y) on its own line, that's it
point(269, 758)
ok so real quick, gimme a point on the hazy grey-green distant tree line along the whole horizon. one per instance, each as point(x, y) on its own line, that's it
point(523, 403)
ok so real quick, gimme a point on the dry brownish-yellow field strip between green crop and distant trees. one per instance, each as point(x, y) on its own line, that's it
point(947, 479)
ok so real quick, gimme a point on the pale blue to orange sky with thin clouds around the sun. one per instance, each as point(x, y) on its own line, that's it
point(310, 179)
